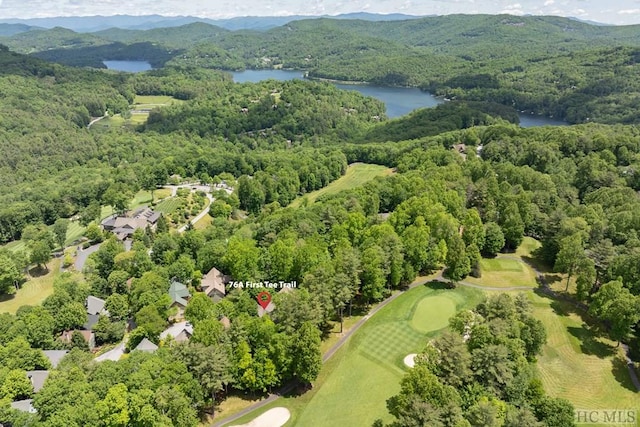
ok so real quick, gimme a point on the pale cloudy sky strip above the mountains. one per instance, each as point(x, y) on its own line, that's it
point(618, 12)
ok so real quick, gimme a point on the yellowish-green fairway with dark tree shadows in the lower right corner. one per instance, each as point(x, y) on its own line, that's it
point(579, 365)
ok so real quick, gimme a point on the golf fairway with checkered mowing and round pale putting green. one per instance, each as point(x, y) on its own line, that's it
point(355, 383)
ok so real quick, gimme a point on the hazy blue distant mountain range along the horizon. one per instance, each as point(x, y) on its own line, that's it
point(89, 24)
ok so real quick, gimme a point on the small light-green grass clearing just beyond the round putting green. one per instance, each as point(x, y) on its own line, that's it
point(504, 272)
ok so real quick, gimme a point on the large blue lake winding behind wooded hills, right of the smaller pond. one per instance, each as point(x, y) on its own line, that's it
point(399, 100)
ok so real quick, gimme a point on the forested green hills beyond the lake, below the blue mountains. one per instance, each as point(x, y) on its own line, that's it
point(546, 65)
